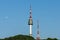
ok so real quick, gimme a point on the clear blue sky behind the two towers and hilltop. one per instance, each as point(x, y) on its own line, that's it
point(14, 15)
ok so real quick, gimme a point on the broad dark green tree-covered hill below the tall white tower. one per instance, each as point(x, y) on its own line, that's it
point(19, 37)
